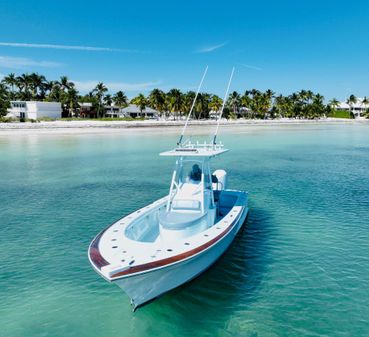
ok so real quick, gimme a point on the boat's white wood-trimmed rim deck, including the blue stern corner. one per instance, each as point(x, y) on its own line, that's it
point(114, 255)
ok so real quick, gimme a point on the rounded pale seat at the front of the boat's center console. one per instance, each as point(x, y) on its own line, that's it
point(176, 220)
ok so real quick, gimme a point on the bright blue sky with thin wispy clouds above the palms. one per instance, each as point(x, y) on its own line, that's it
point(136, 46)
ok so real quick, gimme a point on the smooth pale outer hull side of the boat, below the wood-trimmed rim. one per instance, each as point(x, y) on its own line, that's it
point(145, 286)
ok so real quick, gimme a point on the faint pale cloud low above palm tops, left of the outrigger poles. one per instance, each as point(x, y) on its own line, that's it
point(85, 86)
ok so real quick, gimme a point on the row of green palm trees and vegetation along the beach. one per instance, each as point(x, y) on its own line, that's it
point(253, 103)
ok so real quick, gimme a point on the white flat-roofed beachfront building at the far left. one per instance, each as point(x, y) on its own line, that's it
point(34, 110)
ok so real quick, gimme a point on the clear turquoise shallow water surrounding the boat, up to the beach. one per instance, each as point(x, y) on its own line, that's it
point(299, 267)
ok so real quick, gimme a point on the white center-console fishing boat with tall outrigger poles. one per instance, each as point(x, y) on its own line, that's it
point(177, 237)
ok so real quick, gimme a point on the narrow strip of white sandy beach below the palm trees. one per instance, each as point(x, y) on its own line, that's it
point(91, 126)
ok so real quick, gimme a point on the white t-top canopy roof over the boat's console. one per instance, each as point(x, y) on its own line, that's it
point(196, 150)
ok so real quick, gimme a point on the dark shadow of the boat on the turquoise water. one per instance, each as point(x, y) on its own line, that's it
point(232, 281)
